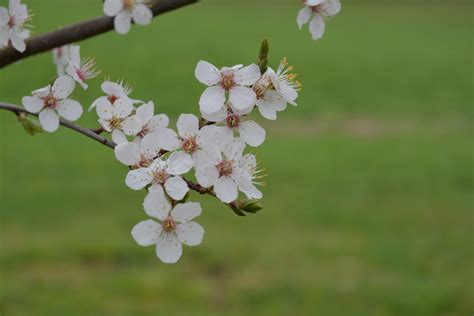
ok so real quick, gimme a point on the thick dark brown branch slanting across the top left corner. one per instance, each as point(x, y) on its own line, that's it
point(78, 32)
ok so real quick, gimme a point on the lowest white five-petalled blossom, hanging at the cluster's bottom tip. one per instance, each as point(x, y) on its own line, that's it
point(175, 227)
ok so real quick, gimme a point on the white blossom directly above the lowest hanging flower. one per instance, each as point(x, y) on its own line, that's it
point(163, 173)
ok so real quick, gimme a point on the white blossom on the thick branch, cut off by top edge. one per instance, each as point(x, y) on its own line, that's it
point(125, 11)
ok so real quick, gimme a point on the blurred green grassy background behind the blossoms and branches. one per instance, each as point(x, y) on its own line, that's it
point(369, 196)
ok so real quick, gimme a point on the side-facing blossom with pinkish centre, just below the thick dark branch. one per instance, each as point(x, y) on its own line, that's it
point(80, 70)
